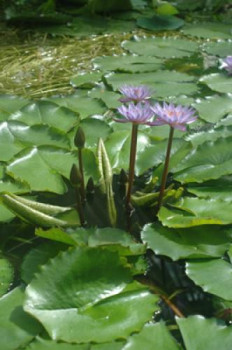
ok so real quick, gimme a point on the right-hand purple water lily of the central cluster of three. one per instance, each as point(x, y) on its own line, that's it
point(175, 116)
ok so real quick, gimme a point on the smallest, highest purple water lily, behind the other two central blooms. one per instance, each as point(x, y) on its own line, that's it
point(134, 93)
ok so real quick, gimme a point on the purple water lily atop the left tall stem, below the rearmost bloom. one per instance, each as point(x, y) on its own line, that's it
point(140, 113)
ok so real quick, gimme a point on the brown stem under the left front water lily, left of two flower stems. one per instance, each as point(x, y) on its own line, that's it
point(134, 133)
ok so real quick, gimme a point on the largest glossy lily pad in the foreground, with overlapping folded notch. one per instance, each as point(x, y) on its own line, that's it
point(80, 296)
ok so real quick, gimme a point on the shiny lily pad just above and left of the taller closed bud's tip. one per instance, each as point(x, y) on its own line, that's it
point(45, 112)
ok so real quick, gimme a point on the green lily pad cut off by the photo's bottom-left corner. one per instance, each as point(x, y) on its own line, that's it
point(17, 328)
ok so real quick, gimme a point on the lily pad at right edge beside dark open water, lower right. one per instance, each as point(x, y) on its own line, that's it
point(214, 276)
